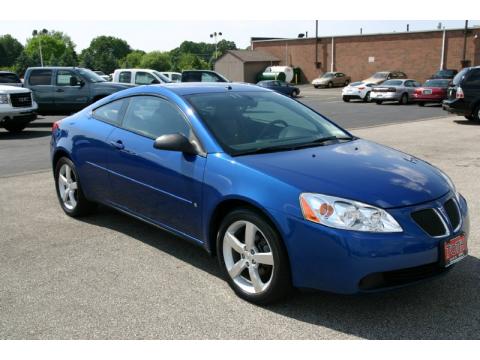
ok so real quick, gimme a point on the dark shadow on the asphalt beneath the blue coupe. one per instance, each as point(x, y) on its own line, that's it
point(447, 307)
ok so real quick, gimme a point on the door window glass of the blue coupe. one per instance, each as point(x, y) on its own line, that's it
point(152, 117)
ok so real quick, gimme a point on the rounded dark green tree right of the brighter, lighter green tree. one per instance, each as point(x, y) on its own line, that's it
point(104, 53)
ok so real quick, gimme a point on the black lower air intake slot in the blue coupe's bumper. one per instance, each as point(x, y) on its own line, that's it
point(400, 277)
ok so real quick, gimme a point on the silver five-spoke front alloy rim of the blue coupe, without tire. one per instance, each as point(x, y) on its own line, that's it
point(248, 257)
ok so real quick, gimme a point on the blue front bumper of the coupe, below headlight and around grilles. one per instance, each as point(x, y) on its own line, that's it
point(342, 261)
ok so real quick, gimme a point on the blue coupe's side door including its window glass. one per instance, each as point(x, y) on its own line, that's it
point(158, 185)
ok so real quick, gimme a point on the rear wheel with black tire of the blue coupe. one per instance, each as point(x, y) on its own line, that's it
point(72, 200)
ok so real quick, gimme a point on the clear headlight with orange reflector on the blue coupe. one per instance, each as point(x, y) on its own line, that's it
point(346, 214)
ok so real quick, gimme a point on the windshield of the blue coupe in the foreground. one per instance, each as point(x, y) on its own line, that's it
point(249, 122)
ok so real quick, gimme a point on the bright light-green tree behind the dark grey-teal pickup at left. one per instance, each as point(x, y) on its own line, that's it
point(58, 48)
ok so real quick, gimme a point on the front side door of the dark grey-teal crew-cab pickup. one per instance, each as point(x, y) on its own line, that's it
point(71, 91)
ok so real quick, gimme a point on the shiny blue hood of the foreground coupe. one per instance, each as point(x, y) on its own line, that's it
point(359, 170)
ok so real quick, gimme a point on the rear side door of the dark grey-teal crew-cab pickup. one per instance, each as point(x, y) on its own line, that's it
point(40, 81)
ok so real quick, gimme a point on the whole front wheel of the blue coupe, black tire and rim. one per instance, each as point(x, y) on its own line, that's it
point(237, 258)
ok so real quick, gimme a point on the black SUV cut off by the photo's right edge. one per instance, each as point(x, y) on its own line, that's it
point(464, 94)
